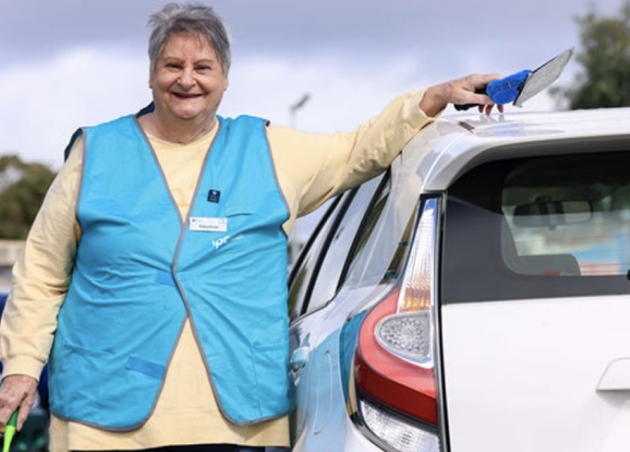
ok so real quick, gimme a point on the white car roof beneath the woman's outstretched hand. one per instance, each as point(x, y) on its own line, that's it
point(455, 143)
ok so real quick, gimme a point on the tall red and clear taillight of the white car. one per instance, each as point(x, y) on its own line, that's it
point(393, 363)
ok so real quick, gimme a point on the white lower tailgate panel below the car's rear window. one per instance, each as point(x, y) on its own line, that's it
point(523, 375)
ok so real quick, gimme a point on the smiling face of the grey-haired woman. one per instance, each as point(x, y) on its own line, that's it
point(187, 82)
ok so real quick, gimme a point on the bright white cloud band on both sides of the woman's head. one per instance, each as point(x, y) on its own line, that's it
point(45, 102)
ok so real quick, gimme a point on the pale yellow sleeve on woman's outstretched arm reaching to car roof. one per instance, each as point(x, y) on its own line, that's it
point(312, 168)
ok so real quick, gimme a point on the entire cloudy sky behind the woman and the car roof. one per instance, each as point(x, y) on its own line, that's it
point(72, 63)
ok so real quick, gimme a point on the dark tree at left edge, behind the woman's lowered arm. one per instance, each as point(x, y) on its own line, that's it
point(22, 190)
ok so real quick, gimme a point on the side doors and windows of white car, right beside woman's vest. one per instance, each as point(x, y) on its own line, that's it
point(313, 284)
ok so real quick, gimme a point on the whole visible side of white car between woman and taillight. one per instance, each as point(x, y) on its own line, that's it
point(350, 264)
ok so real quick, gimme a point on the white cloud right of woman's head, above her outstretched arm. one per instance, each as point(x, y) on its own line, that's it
point(342, 94)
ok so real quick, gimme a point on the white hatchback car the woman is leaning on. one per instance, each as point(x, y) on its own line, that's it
point(476, 297)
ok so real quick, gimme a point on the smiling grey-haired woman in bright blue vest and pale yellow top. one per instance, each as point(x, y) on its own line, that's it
point(153, 279)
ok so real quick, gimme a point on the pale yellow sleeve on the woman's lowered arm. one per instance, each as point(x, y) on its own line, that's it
point(41, 275)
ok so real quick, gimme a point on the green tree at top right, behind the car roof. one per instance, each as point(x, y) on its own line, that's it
point(604, 80)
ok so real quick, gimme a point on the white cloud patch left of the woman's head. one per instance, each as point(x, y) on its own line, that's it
point(45, 102)
